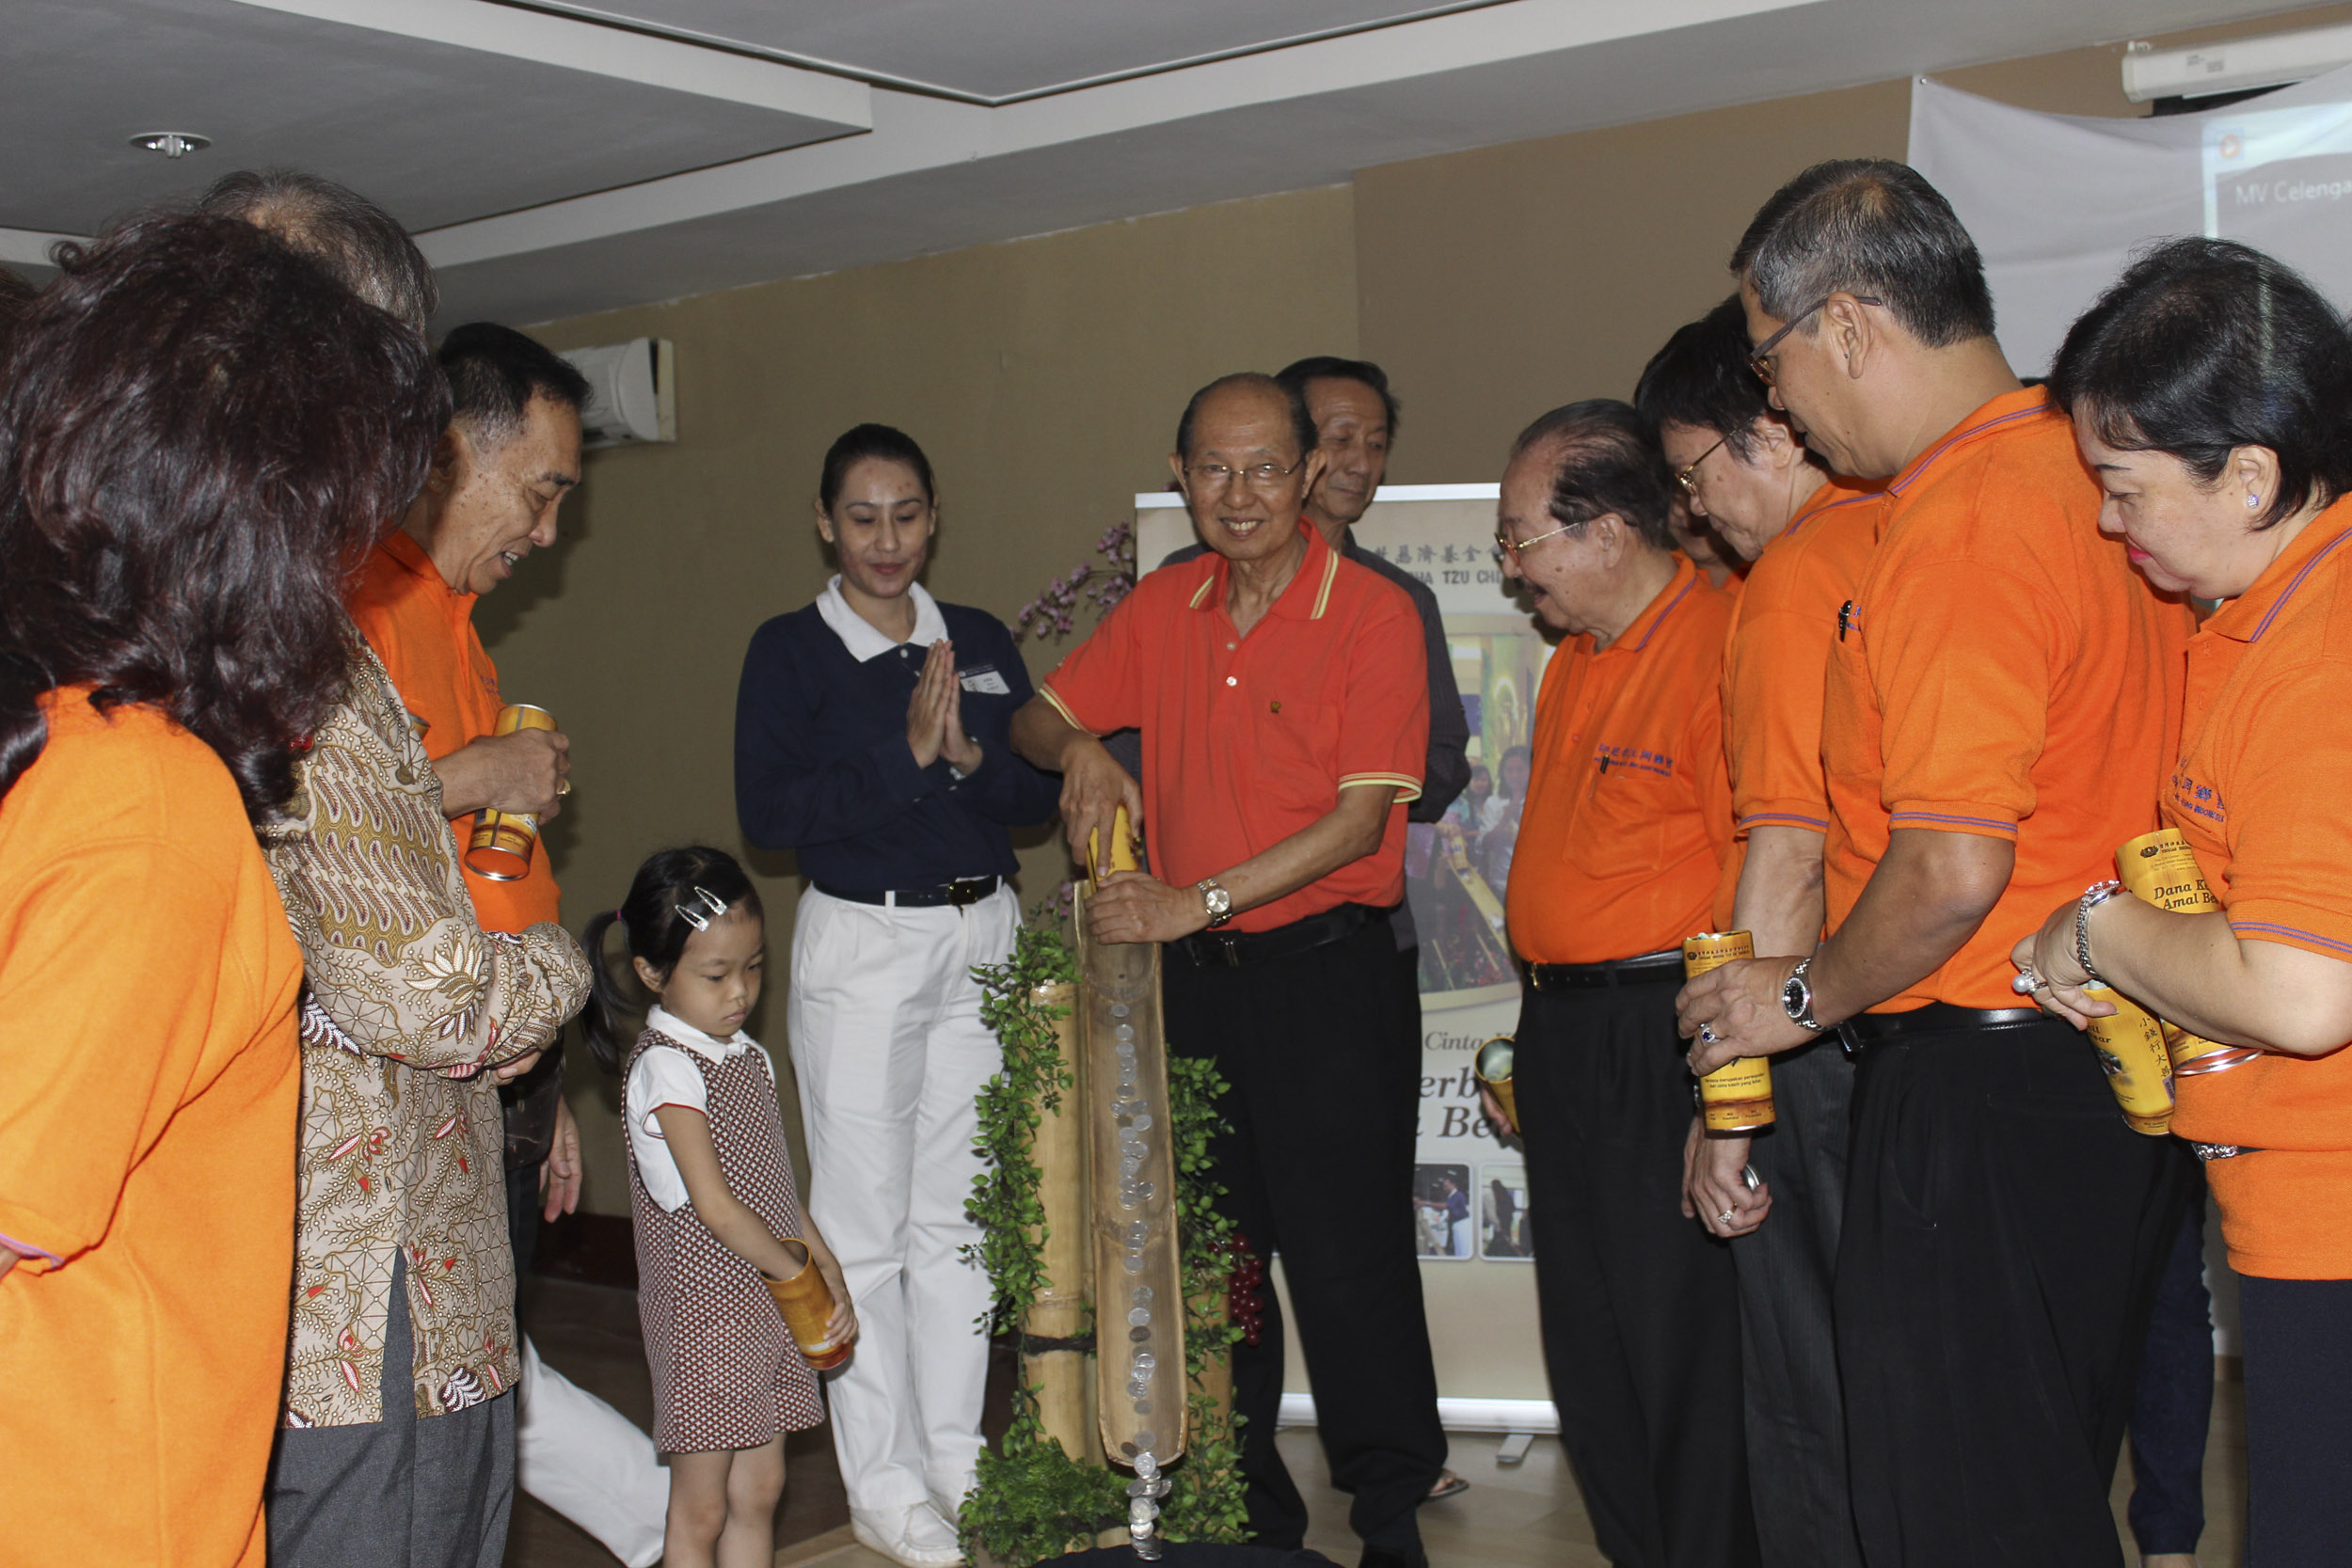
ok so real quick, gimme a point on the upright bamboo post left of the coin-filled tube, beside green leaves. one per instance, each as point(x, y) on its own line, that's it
point(1060, 1315)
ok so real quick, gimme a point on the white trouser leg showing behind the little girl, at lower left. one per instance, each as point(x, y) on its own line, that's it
point(589, 1463)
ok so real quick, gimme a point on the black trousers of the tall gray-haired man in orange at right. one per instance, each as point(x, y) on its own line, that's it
point(1993, 1285)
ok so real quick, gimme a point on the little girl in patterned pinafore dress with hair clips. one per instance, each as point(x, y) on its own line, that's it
point(714, 1205)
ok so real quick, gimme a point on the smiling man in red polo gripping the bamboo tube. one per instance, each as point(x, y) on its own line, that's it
point(1285, 721)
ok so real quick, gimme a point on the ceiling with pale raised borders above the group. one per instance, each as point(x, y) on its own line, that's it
point(568, 156)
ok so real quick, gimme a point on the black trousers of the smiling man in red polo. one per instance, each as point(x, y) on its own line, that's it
point(1323, 1057)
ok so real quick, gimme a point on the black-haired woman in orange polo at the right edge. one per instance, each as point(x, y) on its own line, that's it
point(2212, 394)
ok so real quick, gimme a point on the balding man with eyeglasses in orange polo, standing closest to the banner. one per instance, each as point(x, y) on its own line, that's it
point(1622, 843)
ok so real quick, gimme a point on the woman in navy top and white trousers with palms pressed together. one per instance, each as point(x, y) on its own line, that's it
point(871, 739)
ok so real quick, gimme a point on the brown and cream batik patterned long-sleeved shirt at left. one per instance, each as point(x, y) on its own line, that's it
point(408, 1003)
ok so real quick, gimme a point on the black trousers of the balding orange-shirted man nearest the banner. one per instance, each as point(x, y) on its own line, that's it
point(1641, 1311)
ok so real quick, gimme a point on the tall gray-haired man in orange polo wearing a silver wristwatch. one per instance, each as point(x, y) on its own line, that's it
point(1996, 723)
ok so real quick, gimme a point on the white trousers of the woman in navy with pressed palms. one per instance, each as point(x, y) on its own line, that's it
point(890, 1052)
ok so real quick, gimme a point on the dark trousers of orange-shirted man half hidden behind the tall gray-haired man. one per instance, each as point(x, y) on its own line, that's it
point(1789, 1343)
